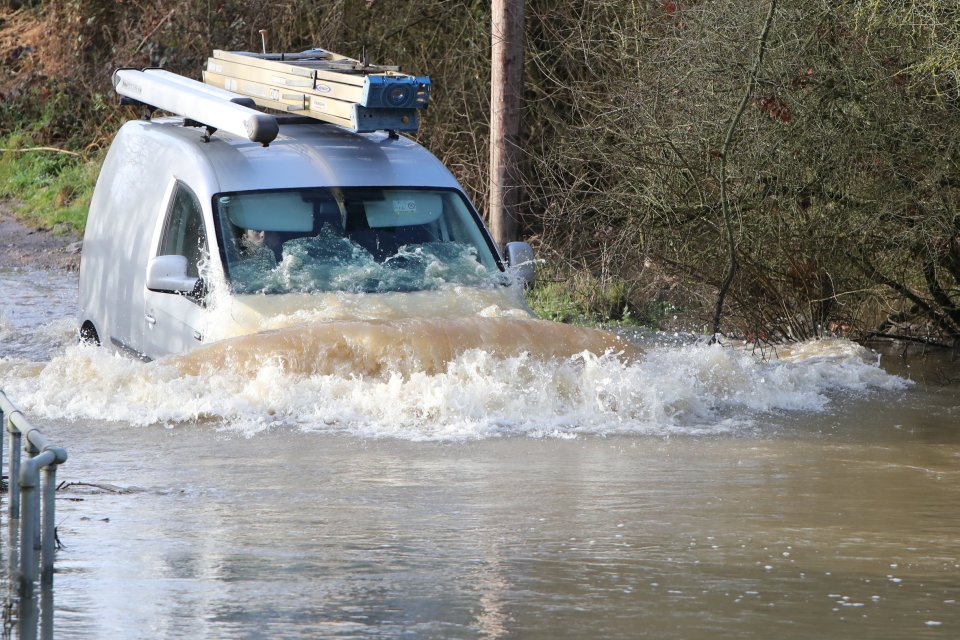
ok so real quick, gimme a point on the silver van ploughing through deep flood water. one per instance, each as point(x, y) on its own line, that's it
point(179, 217)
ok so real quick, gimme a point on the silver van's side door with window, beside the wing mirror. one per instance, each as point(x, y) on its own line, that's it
point(173, 320)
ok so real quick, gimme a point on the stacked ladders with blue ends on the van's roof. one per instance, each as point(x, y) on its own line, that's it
point(324, 85)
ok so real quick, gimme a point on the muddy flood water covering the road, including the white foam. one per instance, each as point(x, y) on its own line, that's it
point(699, 492)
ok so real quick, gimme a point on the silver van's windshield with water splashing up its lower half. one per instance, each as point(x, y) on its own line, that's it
point(352, 240)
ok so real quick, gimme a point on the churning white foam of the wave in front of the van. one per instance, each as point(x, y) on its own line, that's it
point(692, 390)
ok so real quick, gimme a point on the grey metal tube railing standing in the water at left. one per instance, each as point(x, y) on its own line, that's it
point(32, 485)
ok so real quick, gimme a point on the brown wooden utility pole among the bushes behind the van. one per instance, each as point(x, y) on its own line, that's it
point(506, 91)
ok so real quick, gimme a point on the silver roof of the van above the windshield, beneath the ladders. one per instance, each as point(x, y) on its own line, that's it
point(307, 155)
